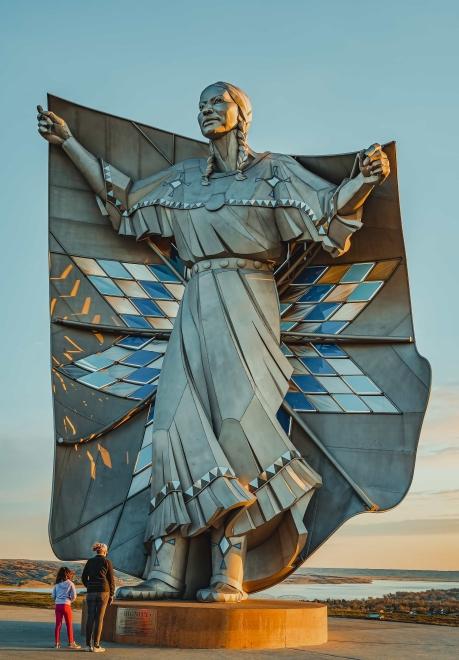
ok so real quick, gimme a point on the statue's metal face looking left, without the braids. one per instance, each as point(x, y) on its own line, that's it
point(217, 112)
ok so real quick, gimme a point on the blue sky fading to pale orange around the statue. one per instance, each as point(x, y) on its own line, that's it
point(324, 77)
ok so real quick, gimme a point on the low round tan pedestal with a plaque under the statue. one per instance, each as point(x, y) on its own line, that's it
point(254, 624)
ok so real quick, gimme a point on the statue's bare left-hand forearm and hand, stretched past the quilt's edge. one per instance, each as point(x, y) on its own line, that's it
point(55, 130)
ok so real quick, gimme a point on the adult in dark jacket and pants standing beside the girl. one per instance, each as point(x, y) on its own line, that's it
point(99, 581)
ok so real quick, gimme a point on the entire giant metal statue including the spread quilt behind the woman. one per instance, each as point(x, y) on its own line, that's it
point(257, 428)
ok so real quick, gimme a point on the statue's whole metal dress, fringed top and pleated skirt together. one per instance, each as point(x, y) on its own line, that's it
point(216, 433)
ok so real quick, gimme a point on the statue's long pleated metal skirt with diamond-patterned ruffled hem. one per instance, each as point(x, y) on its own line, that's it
point(219, 450)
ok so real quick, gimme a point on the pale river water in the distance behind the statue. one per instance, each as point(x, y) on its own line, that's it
point(290, 591)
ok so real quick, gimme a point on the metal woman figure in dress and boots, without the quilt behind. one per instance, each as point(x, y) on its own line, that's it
point(224, 467)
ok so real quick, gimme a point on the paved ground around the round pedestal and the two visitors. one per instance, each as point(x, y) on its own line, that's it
point(27, 633)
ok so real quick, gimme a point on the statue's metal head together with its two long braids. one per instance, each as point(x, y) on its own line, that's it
point(223, 108)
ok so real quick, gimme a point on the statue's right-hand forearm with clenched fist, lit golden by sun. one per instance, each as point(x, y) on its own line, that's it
point(374, 169)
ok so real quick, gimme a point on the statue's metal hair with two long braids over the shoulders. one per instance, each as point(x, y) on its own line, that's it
point(243, 123)
